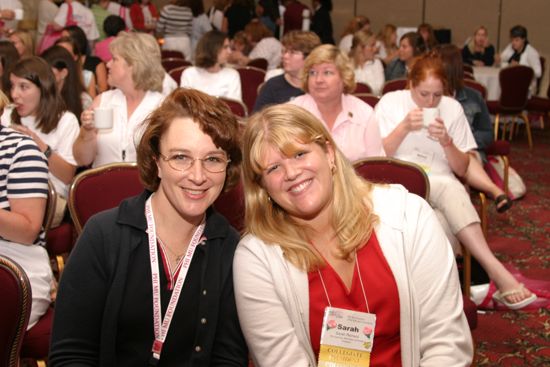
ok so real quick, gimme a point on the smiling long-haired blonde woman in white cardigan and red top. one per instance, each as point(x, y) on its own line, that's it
point(312, 221)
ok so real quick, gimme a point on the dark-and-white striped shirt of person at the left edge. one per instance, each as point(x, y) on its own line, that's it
point(23, 171)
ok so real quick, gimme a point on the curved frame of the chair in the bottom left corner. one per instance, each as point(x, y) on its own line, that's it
point(25, 301)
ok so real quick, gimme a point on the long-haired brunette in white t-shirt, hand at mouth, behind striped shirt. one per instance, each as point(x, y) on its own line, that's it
point(39, 111)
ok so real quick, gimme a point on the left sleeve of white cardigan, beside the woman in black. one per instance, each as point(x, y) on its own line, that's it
point(262, 295)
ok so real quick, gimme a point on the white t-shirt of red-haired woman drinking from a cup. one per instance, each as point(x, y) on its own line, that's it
point(417, 147)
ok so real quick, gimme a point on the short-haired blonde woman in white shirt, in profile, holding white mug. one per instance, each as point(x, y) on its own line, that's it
point(136, 74)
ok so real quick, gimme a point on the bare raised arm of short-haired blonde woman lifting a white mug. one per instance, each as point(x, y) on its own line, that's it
point(85, 145)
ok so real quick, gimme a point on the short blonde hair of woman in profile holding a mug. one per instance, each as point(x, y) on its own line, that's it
point(142, 52)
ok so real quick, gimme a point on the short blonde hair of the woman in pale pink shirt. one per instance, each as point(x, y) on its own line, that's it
point(332, 55)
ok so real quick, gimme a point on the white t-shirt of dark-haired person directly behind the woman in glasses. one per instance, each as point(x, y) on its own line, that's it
point(224, 83)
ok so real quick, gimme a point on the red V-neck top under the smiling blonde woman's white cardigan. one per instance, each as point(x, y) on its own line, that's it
point(382, 296)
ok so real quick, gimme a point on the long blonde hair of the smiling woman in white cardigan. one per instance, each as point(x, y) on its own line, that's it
point(282, 126)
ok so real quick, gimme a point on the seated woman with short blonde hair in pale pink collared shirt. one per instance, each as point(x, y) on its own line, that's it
point(328, 79)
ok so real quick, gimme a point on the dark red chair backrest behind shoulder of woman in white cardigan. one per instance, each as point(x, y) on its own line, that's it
point(392, 170)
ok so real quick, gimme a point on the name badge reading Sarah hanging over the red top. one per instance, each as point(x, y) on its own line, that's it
point(347, 338)
